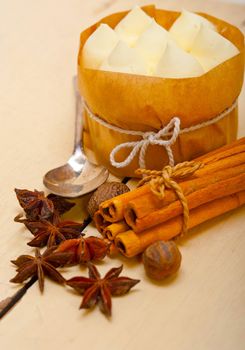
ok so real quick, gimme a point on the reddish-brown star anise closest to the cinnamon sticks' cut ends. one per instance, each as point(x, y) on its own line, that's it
point(85, 249)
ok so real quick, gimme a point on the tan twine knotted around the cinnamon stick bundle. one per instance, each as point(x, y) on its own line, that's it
point(159, 180)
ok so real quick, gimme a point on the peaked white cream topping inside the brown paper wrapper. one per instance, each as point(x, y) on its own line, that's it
point(139, 45)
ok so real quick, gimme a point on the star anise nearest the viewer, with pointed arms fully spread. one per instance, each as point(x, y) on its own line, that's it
point(97, 290)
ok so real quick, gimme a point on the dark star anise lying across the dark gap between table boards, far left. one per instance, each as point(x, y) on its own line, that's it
point(40, 265)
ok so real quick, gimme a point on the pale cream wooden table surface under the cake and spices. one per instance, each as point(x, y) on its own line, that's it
point(203, 307)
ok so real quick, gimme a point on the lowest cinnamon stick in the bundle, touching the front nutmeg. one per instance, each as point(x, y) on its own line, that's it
point(130, 244)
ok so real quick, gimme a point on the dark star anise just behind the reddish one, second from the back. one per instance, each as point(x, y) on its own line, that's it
point(51, 232)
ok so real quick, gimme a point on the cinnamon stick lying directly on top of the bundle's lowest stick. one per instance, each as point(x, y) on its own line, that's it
point(195, 199)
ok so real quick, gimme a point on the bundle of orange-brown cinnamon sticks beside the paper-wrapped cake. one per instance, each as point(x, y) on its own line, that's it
point(136, 219)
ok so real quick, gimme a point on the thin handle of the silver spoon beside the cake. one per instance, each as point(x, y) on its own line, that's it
point(78, 148)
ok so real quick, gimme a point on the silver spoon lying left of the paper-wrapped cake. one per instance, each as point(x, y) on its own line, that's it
point(78, 176)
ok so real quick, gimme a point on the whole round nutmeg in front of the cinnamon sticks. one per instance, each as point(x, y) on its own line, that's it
point(161, 259)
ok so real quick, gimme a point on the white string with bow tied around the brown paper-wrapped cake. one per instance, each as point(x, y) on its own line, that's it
point(171, 130)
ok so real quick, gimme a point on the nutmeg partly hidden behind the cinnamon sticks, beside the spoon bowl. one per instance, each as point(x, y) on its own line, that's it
point(106, 191)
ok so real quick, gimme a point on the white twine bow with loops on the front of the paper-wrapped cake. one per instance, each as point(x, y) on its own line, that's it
point(172, 129)
